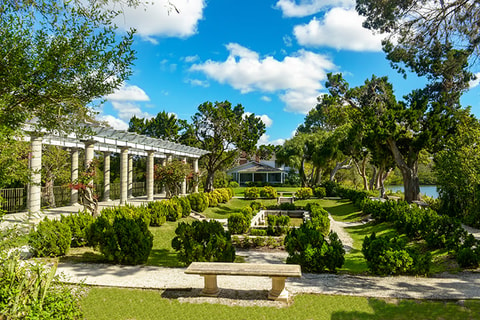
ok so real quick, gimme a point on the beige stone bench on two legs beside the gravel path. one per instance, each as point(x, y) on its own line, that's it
point(278, 273)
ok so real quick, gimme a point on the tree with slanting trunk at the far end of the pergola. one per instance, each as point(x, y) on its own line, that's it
point(223, 130)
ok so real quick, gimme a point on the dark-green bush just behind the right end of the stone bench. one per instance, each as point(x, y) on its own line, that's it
point(307, 247)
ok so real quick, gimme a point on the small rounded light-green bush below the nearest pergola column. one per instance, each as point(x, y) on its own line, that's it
point(51, 238)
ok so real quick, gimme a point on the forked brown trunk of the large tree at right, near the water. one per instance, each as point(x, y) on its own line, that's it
point(409, 170)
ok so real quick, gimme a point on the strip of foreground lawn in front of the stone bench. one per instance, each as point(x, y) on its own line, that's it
point(116, 303)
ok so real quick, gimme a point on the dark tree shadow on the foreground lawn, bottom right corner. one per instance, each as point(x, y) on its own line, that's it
point(413, 309)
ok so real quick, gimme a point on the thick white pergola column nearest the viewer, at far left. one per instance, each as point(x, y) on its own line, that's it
point(35, 164)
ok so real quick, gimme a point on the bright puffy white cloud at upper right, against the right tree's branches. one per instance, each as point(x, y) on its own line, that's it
point(340, 29)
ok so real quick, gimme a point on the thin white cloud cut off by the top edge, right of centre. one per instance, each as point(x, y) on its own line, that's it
point(290, 8)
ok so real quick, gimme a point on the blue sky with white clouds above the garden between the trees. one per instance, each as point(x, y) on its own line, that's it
point(271, 56)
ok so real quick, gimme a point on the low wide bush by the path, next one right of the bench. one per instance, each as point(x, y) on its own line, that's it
point(391, 256)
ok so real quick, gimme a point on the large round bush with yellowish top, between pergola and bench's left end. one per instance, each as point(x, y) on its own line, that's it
point(122, 236)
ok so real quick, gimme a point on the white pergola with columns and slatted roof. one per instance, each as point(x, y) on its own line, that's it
point(108, 141)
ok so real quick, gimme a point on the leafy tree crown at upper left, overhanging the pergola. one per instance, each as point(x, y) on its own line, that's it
point(56, 57)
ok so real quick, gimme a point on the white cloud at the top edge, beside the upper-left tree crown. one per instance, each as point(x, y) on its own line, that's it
point(156, 18)
